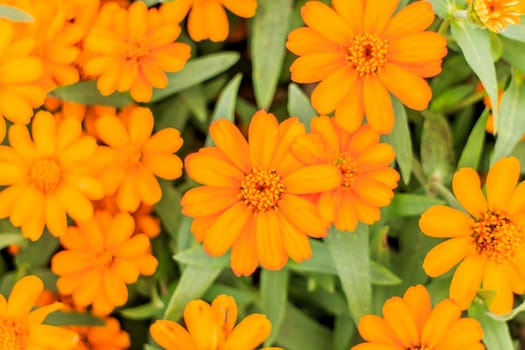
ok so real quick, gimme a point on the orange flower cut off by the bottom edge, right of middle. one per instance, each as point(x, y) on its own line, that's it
point(410, 323)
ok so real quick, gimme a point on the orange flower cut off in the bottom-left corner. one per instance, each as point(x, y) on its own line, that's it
point(22, 328)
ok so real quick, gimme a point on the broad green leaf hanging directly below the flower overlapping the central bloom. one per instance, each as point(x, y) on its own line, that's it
point(349, 251)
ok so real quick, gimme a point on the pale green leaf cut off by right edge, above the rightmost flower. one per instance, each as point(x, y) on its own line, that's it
point(511, 123)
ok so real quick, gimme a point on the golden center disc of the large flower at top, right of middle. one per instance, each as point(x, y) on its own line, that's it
point(367, 53)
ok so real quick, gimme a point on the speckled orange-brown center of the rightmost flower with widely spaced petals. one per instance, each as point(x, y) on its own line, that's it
point(496, 236)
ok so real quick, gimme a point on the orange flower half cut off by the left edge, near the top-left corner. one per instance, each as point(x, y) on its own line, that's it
point(19, 73)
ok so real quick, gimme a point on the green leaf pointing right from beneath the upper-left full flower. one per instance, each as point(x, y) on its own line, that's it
point(196, 71)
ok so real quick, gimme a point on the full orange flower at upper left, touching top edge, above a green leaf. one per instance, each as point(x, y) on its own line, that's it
point(133, 57)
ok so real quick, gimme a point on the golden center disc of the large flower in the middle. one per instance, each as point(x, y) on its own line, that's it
point(261, 190)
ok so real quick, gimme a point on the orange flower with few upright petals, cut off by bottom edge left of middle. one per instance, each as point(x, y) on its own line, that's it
point(212, 327)
